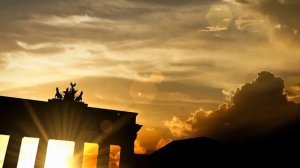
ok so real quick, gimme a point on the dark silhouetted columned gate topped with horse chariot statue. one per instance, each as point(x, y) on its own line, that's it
point(66, 117)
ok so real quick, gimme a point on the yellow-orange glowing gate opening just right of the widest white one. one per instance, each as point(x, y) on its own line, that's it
point(90, 154)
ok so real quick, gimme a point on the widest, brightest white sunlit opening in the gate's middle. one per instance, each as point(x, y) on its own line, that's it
point(59, 154)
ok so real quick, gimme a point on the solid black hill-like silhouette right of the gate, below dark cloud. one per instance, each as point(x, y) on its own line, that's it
point(277, 148)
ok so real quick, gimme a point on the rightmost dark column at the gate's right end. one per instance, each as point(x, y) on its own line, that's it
point(127, 155)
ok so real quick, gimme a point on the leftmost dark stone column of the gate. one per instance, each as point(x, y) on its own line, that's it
point(12, 152)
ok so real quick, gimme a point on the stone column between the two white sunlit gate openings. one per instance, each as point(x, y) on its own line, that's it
point(41, 153)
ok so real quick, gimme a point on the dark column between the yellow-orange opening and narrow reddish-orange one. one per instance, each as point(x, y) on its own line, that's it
point(103, 156)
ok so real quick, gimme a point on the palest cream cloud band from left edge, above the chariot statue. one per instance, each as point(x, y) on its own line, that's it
point(71, 60)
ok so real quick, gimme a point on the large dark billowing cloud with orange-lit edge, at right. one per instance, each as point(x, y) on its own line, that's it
point(256, 108)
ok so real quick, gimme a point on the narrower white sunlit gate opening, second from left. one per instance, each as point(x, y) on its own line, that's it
point(28, 152)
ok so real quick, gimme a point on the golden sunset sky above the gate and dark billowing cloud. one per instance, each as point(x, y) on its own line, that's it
point(165, 59)
